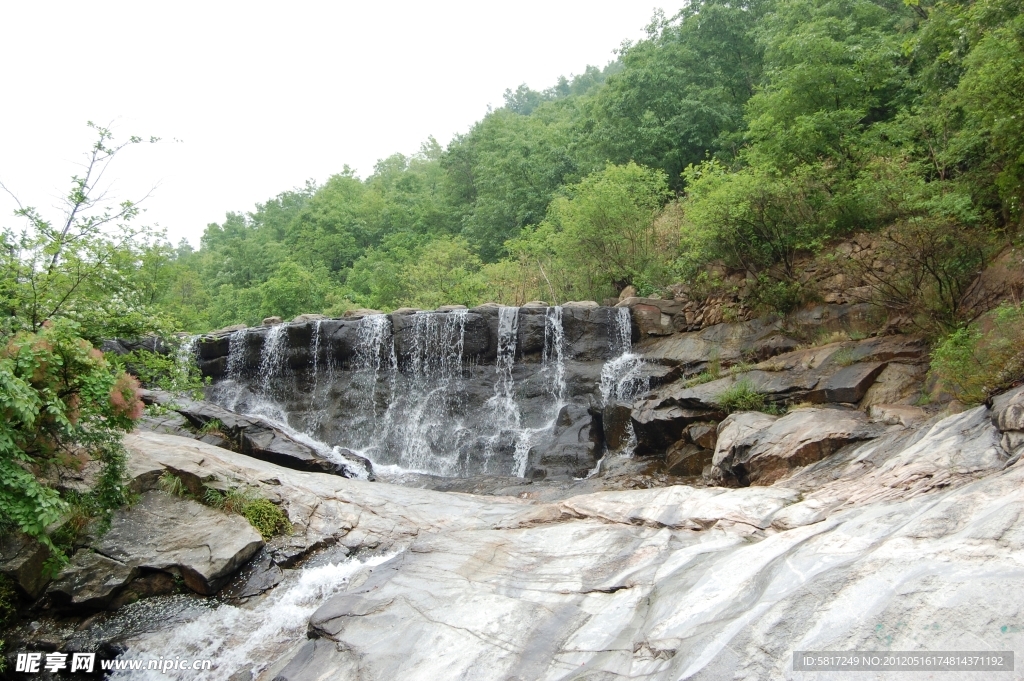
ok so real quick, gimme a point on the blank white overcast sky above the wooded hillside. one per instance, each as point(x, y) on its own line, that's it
point(253, 99)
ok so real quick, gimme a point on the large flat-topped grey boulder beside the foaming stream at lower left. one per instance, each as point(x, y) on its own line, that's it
point(163, 533)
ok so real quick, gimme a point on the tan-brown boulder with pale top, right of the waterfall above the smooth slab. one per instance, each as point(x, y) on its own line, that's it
point(756, 449)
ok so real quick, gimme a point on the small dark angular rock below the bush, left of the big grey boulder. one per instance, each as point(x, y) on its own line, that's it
point(91, 581)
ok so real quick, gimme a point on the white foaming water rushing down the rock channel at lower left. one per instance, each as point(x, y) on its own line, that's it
point(242, 641)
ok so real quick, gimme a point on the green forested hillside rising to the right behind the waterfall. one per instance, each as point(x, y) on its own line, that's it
point(743, 133)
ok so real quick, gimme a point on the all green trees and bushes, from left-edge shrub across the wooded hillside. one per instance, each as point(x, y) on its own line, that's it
point(742, 134)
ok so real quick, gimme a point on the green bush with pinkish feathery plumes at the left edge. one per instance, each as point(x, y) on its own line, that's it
point(60, 401)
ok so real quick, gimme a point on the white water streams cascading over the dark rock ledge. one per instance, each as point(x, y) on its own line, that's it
point(421, 411)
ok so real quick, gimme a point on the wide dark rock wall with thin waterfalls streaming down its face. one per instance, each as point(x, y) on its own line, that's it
point(455, 394)
